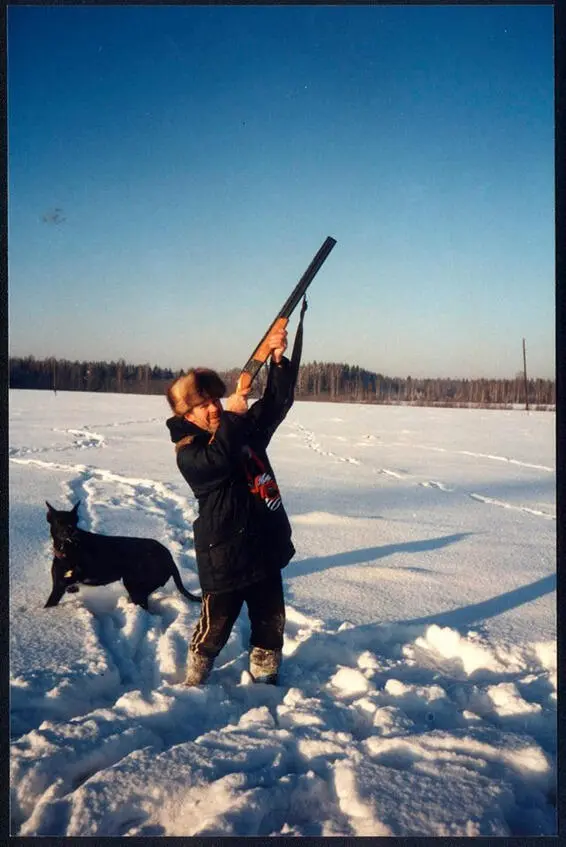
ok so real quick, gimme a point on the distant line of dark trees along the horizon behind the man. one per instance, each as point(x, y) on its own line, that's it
point(316, 381)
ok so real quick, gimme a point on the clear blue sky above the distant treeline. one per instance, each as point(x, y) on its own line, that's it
point(173, 170)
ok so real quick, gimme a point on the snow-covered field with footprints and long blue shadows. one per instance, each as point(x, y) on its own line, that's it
point(418, 690)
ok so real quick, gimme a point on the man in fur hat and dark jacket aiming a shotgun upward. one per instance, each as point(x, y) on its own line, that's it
point(242, 535)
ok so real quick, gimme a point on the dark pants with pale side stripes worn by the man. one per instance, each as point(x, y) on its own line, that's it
point(266, 611)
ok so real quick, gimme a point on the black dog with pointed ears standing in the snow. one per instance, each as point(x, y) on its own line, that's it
point(142, 564)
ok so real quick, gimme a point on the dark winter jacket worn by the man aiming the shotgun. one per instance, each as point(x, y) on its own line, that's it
point(242, 533)
